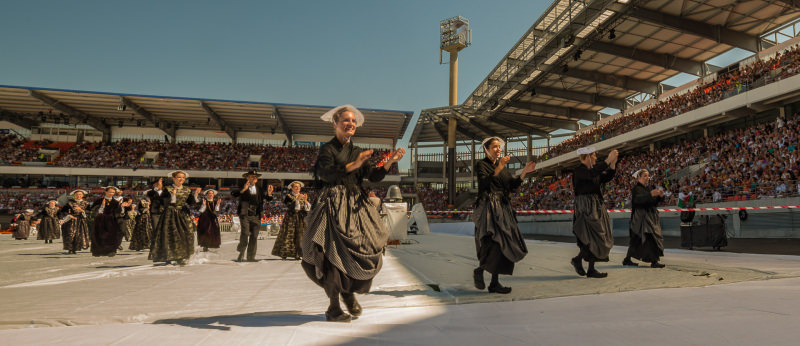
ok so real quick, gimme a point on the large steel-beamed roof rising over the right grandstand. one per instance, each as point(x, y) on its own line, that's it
point(583, 56)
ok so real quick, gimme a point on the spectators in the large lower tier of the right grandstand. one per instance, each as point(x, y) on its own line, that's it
point(756, 162)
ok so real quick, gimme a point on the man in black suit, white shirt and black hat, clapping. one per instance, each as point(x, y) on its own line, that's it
point(251, 205)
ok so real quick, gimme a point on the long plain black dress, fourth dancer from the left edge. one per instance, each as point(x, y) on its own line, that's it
point(105, 234)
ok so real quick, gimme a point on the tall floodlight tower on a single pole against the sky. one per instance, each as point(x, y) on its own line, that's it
point(455, 36)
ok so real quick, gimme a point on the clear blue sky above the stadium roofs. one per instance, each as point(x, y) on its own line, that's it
point(376, 54)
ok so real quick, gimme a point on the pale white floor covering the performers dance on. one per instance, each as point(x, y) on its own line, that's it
point(423, 295)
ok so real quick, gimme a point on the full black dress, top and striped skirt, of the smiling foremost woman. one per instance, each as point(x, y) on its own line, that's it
point(344, 241)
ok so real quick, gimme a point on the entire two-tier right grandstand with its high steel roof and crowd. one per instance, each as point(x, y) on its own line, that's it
point(598, 73)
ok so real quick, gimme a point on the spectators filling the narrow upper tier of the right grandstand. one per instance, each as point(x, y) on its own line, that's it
point(758, 73)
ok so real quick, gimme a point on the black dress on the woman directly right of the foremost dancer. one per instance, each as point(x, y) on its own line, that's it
point(498, 241)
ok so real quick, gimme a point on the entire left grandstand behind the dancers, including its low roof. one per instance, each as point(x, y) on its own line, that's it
point(54, 140)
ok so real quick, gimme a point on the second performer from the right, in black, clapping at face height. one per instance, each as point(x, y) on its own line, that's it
point(591, 224)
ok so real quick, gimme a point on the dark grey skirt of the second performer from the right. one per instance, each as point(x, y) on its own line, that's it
point(592, 227)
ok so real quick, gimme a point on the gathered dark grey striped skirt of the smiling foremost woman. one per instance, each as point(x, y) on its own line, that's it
point(345, 230)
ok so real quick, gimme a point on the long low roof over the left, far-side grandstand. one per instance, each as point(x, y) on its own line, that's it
point(25, 106)
